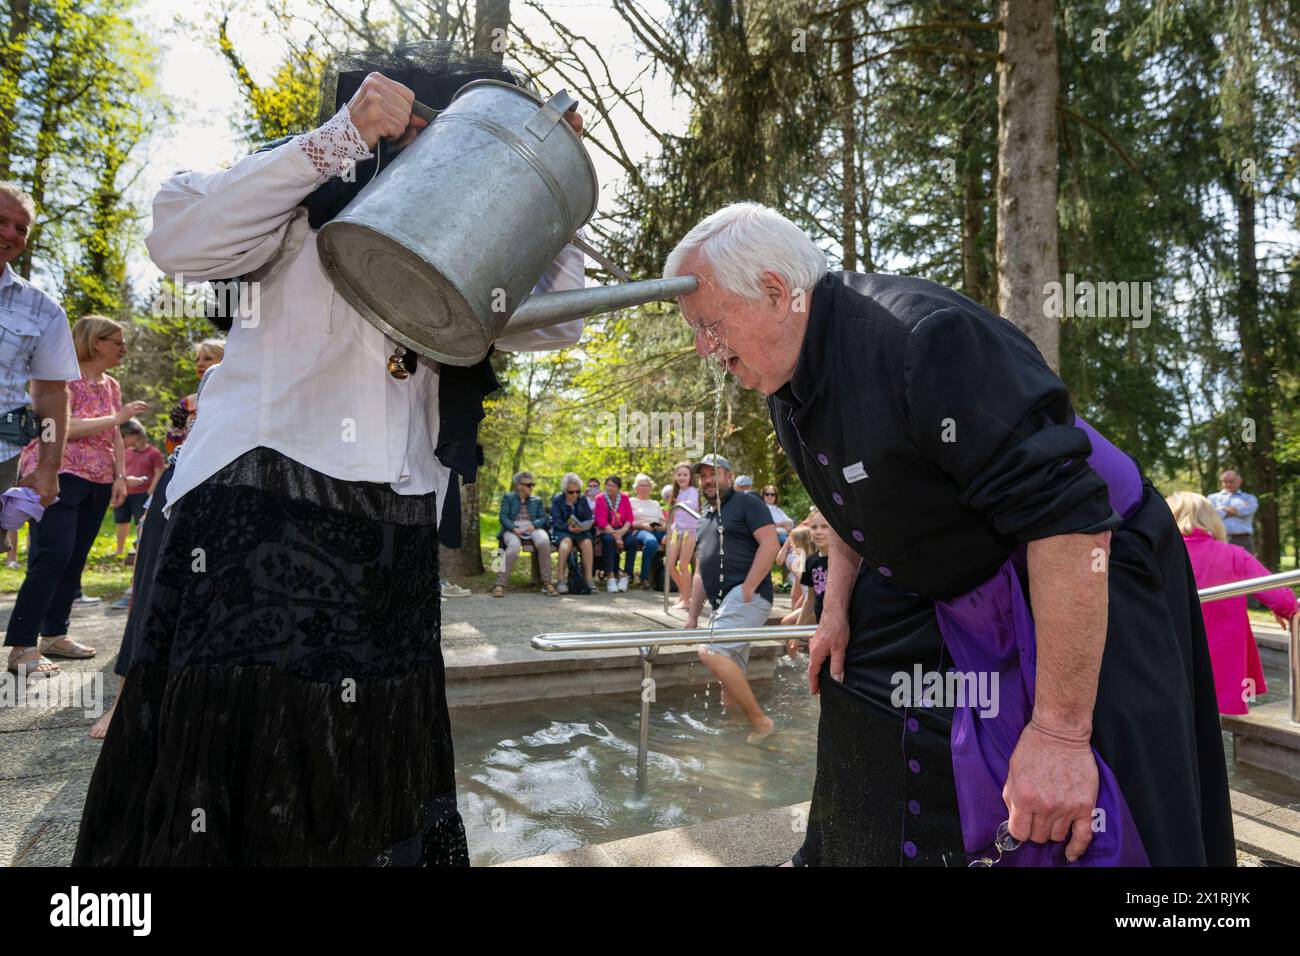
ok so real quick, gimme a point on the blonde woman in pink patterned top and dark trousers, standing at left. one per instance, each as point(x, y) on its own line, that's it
point(92, 479)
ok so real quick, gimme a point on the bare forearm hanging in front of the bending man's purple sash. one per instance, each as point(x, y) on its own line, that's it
point(1071, 600)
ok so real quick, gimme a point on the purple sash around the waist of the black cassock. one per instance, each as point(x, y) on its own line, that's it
point(990, 630)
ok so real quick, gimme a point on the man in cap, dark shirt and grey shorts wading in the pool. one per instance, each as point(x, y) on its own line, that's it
point(734, 574)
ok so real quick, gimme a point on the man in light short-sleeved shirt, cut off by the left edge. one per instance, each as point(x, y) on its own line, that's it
point(37, 348)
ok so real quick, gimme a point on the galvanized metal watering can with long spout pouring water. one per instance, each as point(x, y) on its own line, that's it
point(444, 248)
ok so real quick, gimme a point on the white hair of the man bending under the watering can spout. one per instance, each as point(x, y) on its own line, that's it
point(743, 241)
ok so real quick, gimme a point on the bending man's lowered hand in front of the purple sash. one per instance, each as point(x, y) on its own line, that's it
point(1052, 790)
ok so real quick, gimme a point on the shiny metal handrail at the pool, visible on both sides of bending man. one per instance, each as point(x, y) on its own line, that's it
point(649, 643)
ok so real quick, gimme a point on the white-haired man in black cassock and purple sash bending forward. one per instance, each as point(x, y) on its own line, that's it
point(1012, 660)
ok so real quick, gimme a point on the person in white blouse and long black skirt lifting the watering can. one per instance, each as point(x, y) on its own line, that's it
point(287, 704)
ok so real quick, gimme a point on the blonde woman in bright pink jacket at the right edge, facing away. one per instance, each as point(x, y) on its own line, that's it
point(1238, 674)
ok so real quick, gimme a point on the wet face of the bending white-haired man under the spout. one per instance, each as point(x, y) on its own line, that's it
point(756, 340)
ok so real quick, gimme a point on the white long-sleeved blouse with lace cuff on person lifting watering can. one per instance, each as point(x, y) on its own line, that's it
point(305, 374)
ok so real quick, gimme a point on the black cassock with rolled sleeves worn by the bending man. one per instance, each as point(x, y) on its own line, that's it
point(937, 442)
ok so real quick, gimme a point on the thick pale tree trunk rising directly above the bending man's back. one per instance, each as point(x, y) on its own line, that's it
point(1028, 89)
